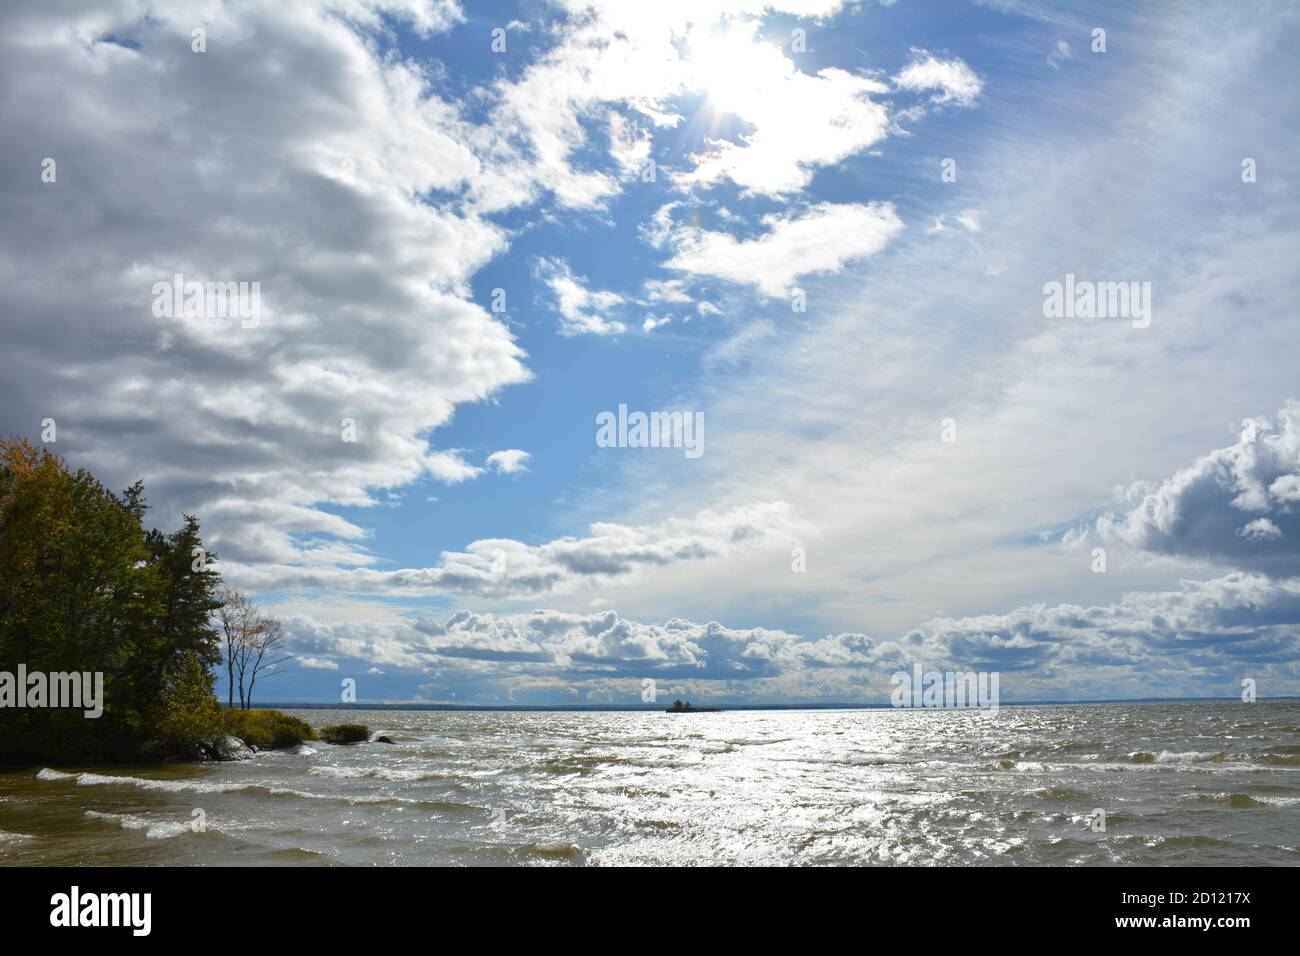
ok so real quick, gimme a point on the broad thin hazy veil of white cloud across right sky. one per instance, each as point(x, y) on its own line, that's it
point(842, 416)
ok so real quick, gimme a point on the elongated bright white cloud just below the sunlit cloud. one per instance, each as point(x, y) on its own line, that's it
point(821, 240)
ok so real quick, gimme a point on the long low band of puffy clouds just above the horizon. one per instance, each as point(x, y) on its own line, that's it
point(1146, 644)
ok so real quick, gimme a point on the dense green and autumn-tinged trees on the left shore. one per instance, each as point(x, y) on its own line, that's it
point(86, 589)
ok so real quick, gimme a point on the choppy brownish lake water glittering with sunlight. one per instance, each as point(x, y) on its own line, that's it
point(1181, 784)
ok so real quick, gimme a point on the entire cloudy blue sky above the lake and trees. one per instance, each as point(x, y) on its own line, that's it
point(824, 232)
